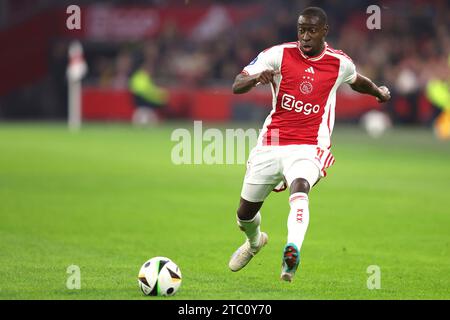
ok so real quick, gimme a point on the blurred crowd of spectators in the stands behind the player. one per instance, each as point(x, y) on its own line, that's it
point(412, 46)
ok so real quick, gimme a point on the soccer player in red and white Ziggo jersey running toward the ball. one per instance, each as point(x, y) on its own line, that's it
point(294, 145)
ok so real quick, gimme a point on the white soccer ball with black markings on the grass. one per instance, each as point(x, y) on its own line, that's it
point(159, 276)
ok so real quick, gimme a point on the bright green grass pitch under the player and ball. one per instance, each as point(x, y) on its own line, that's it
point(109, 198)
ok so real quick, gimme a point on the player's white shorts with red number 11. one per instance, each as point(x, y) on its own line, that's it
point(269, 167)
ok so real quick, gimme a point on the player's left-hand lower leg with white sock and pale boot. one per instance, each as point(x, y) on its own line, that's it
point(249, 220)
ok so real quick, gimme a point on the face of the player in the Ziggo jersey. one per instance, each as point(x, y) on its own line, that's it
point(311, 34)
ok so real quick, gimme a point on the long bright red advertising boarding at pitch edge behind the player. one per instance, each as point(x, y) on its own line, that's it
point(109, 104)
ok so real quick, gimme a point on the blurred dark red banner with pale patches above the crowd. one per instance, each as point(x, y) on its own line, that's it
point(125, 23)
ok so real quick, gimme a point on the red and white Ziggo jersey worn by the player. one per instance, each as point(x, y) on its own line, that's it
point(304, 96)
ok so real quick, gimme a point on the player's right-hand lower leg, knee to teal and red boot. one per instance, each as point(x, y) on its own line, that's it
point(297, 224)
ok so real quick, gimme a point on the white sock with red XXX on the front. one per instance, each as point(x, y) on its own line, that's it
point(298, 219)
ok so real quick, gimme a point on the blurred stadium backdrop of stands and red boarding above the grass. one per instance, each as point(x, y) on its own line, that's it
point(194, 49)
